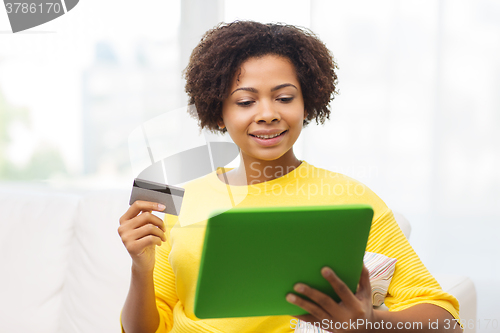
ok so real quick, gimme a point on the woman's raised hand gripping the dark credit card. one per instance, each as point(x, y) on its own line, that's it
point(140, 231)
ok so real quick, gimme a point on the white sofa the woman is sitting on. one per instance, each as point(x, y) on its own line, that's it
point(65, 269)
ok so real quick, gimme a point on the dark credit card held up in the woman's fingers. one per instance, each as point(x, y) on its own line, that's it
point(167, 195)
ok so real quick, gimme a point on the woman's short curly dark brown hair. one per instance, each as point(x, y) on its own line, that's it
point(222, 50)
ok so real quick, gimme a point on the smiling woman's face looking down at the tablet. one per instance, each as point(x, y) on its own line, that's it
point(265, 98)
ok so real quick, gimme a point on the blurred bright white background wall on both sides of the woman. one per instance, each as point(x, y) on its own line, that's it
point(417, 118)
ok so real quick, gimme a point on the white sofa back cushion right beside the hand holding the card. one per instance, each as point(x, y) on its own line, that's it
point(99, 266)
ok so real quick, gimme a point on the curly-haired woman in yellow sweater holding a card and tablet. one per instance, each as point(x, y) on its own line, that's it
point(261, 84)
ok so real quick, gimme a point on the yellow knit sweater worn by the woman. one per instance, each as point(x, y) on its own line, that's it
point(178, 259)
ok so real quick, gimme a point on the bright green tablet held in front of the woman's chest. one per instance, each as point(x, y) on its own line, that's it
point(252, 257)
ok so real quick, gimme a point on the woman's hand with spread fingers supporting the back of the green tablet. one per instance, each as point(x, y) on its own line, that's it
point(353, 308)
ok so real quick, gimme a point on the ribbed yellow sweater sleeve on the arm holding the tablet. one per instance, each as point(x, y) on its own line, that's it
point(412, 283)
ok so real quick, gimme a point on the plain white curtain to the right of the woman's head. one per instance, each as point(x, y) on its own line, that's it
point(418, 121)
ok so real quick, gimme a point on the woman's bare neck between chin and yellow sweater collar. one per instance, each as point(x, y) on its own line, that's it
point(253, 171)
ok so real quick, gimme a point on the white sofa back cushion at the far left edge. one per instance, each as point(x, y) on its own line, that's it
point(36, 235)
